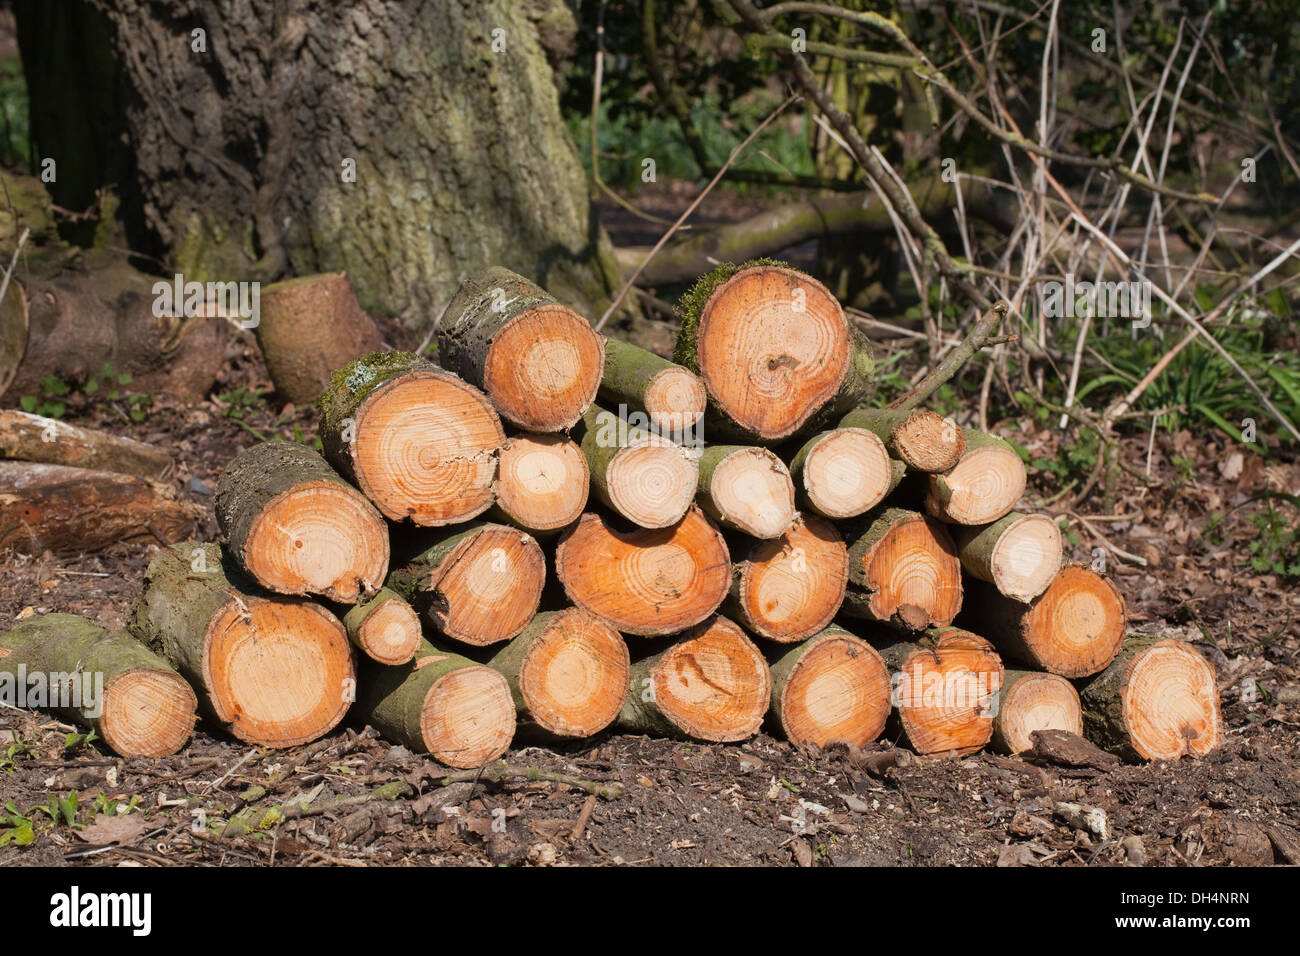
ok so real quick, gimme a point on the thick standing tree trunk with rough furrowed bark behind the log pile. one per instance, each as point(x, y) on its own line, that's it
point(245, 152)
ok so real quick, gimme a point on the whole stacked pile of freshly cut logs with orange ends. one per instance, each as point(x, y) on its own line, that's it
point(484, 552)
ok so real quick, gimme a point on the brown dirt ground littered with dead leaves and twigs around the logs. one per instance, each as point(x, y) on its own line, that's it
point(762, 802)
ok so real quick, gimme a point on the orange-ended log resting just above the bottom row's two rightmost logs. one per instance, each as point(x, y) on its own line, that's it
point(1073, 629)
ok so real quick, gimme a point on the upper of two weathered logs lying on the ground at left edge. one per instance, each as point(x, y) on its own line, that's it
point(36, 439)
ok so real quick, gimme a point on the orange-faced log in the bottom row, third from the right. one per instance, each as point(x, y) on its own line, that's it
point(946, 690)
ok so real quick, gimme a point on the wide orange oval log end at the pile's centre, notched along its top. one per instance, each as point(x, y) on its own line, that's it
point(645, 582)
